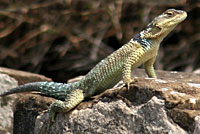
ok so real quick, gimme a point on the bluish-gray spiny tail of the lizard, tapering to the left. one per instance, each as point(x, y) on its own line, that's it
point(51, 89)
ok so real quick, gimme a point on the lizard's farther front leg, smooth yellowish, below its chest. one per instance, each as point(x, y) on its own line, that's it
point(149, 69)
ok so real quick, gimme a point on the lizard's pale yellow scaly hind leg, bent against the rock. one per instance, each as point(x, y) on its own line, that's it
point(72, 99)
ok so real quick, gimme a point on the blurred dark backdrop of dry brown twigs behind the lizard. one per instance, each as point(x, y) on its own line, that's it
point(62, 39)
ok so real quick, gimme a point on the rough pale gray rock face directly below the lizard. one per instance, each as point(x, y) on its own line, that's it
point(114, 117)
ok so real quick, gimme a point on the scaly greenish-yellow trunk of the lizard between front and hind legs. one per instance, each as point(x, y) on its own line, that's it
point(108, 72)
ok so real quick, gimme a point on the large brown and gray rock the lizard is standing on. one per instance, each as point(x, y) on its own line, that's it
point(168, 105)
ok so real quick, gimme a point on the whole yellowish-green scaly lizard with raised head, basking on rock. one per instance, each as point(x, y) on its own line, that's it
point(141, 49)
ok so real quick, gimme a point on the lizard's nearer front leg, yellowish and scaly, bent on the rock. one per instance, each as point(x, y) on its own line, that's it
point(133, 58)
